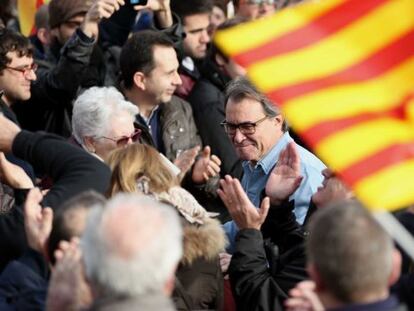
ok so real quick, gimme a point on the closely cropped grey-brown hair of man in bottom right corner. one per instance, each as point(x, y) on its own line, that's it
point(350, 251)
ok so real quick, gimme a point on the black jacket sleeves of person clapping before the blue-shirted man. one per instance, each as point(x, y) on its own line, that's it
point(267, 264)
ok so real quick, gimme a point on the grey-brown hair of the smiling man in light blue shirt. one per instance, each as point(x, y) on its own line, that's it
point(241, 88)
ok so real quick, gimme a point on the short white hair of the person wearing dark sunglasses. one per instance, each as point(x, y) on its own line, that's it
point(94, 109)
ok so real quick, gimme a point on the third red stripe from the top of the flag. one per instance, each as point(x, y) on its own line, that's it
point(315, 134)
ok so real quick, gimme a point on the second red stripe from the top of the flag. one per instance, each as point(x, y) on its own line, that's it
point(385, 59)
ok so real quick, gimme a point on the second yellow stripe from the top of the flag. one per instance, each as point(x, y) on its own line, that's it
point(337, 52)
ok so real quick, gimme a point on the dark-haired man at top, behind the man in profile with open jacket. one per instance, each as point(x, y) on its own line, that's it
point(195, 16)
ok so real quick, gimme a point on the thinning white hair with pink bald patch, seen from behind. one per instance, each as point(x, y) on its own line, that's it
point(131, 246)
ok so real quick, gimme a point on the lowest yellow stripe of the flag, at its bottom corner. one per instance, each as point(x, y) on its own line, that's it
point(382, 188)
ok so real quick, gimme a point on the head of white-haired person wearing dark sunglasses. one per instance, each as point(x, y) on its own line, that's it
point(103, 120)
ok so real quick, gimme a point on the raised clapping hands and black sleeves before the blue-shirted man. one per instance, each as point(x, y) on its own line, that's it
point(269, 257)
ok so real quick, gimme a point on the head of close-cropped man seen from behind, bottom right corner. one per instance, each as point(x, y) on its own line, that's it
point(352, 260)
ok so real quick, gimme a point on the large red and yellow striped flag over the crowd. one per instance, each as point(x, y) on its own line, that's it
point(342, 72)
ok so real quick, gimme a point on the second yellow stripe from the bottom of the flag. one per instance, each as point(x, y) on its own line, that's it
point(364, 140)
